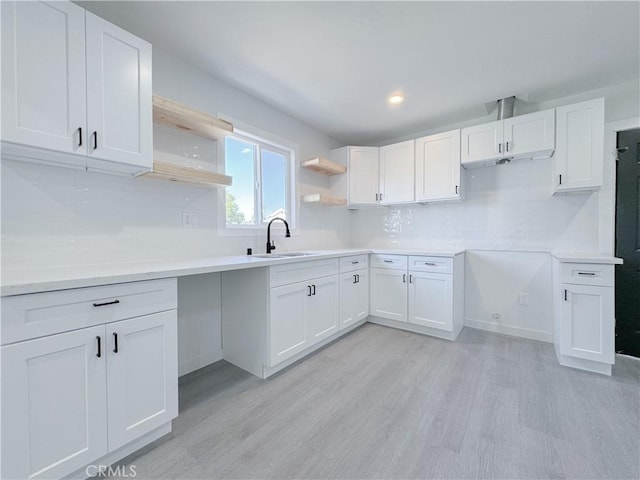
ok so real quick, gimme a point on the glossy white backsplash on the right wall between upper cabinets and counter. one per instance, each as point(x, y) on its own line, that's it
point(507, 207)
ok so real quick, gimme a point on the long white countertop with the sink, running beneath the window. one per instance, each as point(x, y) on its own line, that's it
point(18, 282)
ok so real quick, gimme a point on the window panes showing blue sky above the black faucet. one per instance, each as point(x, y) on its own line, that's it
point(261, 187)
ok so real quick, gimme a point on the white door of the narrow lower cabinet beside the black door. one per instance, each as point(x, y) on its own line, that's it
point(587, 323)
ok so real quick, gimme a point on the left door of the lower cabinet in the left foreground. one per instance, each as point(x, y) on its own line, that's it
point(54, 412)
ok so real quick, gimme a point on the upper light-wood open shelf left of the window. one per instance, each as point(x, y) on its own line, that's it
point(174, 114)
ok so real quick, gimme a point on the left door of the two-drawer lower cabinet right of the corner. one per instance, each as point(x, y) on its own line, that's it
point(389, 294)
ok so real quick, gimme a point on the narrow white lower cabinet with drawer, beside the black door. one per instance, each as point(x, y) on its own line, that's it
point(584, 323)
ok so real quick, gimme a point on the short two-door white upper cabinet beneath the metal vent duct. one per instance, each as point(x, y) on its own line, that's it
point(524, 136)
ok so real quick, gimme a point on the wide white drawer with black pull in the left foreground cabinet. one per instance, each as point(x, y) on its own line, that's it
point(39, 314)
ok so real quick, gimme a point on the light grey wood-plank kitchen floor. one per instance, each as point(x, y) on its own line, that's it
point(382, 403)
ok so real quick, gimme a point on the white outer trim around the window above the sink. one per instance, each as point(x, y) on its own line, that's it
point(280, 143)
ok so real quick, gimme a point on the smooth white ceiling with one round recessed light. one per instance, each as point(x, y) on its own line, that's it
point(331, 64)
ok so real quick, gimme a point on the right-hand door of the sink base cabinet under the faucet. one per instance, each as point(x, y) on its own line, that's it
point(322, 309)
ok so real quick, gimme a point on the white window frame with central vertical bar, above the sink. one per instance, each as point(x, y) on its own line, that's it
point(268, 142)
